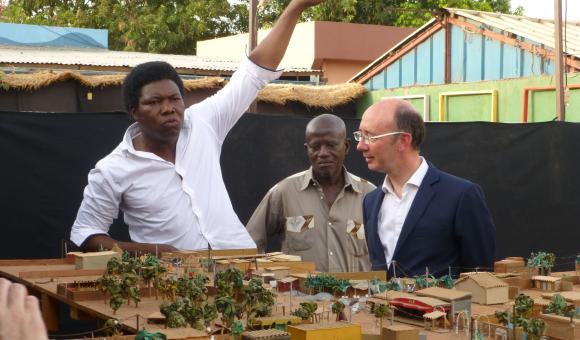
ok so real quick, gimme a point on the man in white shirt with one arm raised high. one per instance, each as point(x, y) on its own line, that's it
point(165, 175)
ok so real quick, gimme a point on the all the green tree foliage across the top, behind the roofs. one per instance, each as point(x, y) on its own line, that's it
point(175, 26)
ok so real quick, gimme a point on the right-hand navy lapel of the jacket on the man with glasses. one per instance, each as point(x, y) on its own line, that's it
point(420, 203)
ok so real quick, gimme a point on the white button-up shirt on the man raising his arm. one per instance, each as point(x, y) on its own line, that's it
point(184, 204)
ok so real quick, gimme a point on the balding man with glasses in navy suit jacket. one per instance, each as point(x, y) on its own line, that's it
point(421, 218)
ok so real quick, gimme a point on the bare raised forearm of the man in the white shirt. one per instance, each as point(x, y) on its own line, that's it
point(270, 51)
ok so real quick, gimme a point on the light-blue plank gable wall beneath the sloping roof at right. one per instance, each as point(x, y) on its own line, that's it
point(473, 58)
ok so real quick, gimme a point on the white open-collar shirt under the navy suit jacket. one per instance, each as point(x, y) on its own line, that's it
point(394, 210)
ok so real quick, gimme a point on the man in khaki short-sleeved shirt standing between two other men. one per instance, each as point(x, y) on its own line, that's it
point(317, 213)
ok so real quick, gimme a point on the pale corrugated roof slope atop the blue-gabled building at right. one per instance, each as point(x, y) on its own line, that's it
point(537, 30)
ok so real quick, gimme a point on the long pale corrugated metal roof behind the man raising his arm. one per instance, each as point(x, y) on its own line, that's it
point(16, 55)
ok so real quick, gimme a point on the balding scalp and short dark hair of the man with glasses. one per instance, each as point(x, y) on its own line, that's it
point(399, 113)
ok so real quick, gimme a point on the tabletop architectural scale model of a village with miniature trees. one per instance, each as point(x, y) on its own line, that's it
point(238, 293)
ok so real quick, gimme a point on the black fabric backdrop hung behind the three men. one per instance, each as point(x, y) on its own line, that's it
point(529, 173)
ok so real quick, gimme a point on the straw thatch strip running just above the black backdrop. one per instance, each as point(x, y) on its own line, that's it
point(325, 96)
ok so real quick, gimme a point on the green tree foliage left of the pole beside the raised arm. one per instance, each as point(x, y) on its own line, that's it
point(134, 25)
